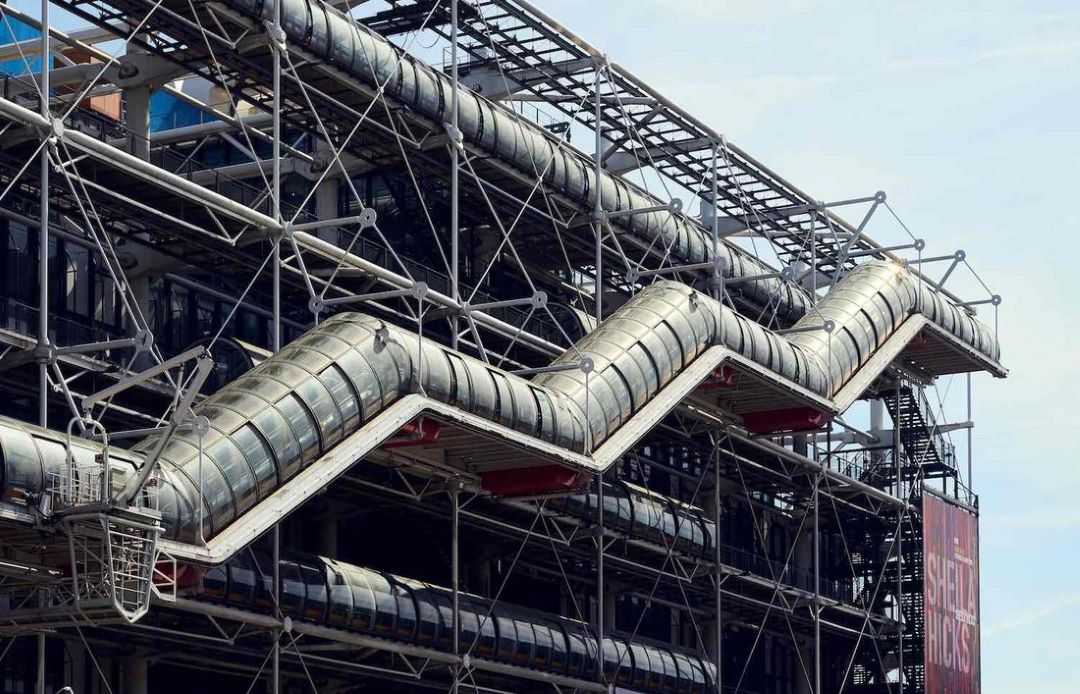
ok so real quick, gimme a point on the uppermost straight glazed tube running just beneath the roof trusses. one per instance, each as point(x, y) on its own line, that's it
point(501, 133)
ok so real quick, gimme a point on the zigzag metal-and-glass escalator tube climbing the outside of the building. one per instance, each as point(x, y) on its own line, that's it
point(294, 407)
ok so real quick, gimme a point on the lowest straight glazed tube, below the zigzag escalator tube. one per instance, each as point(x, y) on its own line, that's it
point(343, 596)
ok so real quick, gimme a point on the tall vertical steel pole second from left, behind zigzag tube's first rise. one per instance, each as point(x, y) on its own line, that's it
point(277, 47)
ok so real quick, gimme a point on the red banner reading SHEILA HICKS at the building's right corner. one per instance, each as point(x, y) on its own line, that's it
point(951, 546)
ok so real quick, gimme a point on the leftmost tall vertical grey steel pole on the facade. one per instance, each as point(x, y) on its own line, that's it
point(44, 280)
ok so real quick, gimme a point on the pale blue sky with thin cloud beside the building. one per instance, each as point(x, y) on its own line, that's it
point(965, 113)
